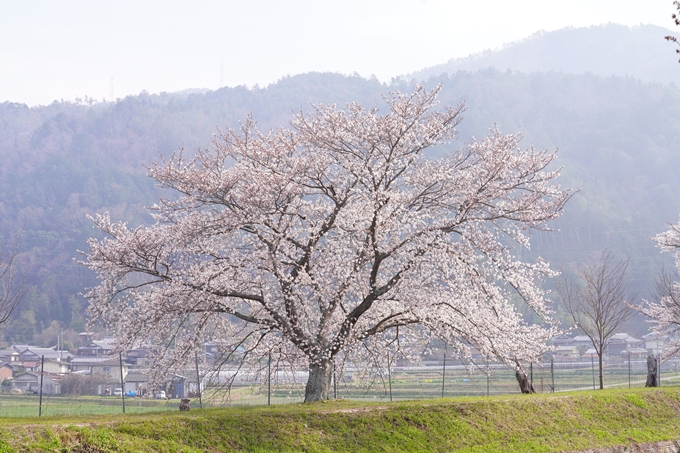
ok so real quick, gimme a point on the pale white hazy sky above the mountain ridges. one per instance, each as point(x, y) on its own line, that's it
point(63, 49)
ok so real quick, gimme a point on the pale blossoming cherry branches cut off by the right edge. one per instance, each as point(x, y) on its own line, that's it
point(665, 309)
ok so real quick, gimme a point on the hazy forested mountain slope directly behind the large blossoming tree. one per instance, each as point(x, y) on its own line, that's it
point(617, 136)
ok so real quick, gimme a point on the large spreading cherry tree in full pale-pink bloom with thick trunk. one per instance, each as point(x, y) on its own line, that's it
point(332, 237)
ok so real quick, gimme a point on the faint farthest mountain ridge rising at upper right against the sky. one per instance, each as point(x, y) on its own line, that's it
point(640, 52)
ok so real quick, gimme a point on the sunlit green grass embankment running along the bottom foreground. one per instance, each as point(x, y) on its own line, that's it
point(504, 424)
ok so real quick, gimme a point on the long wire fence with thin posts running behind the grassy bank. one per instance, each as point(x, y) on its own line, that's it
point(433, 380)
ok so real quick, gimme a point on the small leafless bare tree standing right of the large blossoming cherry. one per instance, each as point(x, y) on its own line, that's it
point(599, 301)
